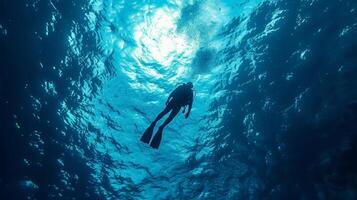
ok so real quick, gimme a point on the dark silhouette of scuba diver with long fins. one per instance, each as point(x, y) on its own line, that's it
point(182, 96)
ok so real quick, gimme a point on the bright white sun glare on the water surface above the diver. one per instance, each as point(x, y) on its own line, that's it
point(158, 41)
